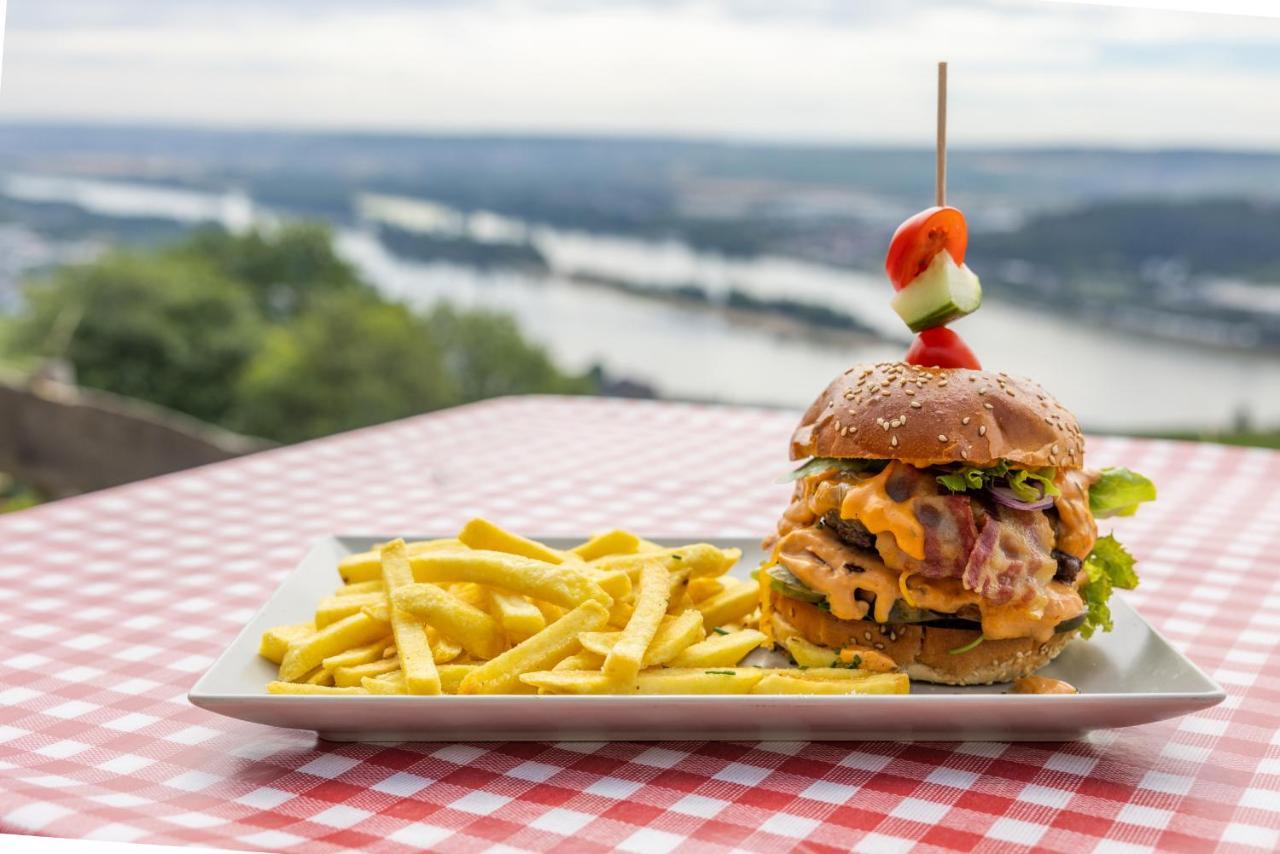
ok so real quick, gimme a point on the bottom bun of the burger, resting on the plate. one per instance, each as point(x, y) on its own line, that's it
point(922, 651)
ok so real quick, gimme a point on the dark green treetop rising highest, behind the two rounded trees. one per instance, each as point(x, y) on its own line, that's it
point(285, 268)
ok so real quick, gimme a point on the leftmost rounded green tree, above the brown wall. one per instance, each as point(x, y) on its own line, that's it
point(161, 328)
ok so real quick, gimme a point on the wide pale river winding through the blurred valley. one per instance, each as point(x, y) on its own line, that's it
point(1114, 381)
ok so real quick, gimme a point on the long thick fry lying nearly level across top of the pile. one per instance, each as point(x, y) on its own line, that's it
point(566, 586)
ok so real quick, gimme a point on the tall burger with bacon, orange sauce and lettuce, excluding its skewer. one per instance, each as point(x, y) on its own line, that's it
point(945, 518)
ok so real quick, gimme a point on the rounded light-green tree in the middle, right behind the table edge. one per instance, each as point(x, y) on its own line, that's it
point(349, 362)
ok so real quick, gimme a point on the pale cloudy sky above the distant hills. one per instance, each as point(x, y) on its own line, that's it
point(1023, 72)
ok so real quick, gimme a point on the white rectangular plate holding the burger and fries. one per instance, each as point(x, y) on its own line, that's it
point(1126, 678)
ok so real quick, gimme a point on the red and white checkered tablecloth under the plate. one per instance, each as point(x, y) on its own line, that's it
point(115, 604)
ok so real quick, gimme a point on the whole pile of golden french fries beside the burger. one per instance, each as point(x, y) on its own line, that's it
point(495, 613)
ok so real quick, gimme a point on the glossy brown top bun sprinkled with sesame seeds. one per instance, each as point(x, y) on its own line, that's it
point(929, 417)
